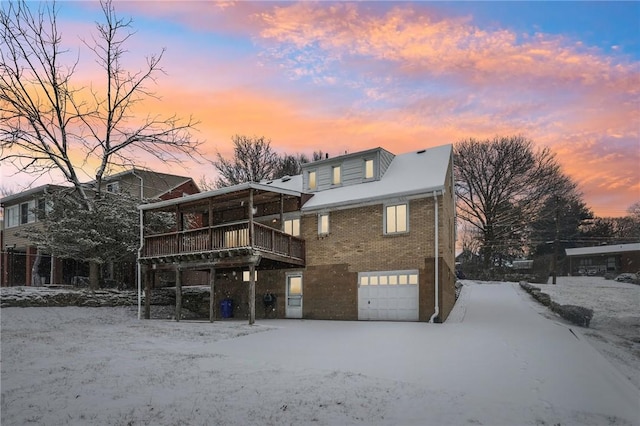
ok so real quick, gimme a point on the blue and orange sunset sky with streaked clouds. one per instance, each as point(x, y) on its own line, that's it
point(343, 77)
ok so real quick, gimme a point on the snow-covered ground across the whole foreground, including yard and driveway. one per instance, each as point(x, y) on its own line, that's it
point(499, 360)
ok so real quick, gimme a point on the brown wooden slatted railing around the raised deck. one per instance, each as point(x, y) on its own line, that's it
point(223, 237)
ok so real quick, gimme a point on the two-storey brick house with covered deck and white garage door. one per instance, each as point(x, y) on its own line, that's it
point(367, 236)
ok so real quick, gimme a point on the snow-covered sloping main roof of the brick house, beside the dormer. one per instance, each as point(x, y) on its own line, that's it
point(409, 174)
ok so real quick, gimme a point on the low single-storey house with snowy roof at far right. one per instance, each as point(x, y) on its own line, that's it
point(599, 260)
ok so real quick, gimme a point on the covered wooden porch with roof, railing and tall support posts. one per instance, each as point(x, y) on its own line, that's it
point(240, 227)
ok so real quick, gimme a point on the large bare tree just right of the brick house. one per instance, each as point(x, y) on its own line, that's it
point(502, 185)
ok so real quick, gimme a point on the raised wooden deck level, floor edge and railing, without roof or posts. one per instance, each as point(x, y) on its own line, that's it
point(224, 241)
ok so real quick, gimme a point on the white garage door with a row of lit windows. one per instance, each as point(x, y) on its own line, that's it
point(388, 295)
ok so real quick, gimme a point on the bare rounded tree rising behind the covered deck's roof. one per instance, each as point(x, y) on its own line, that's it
point(253, 161)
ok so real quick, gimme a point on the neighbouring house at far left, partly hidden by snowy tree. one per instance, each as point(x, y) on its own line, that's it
point(19, 256)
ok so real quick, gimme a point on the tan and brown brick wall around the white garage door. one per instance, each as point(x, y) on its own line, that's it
point(356, 243)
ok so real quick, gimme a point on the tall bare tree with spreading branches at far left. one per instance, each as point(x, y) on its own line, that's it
point(45, 116)
